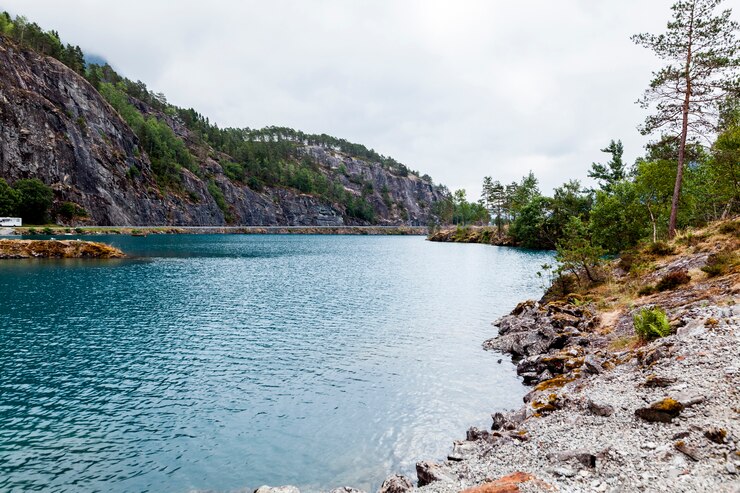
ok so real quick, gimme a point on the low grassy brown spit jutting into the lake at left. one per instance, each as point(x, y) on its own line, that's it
point(36, 249)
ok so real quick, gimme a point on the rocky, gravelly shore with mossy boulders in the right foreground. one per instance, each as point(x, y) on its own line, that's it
point(607, 411)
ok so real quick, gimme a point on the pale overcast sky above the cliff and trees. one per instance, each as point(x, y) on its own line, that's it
point(456, 89)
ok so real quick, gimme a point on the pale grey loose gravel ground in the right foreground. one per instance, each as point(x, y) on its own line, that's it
point(702, 366)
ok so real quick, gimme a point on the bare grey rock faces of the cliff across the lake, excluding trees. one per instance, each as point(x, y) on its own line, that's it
point(56, 127)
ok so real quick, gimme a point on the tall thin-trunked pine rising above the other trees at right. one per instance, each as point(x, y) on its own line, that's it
point(702, 54)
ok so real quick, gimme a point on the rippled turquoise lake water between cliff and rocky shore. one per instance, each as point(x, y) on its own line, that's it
point(222, 363)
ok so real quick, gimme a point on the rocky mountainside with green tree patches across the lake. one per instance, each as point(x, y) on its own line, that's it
point(56, 126)
